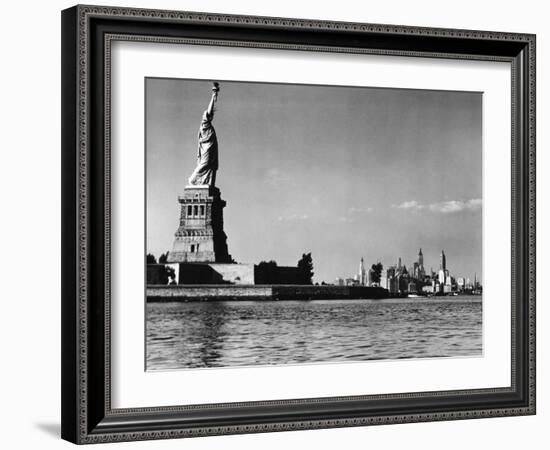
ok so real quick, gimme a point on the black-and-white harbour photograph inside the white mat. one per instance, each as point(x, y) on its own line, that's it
point(301, 224)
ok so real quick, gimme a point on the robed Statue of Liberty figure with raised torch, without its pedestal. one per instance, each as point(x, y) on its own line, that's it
point(207, 154)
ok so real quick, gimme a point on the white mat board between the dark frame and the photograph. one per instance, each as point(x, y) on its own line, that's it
point(132, 386)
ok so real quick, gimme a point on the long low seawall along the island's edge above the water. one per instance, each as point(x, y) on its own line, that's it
point(189, 293)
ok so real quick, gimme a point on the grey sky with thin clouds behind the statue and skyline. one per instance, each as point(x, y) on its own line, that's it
point(341, 172)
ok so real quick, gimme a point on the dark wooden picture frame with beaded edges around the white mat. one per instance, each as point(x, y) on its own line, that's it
point(87, 32)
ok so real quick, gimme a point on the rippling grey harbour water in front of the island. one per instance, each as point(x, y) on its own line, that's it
point(221, 334)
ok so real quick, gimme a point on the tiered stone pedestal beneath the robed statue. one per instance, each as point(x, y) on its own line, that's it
point(200, 237)
